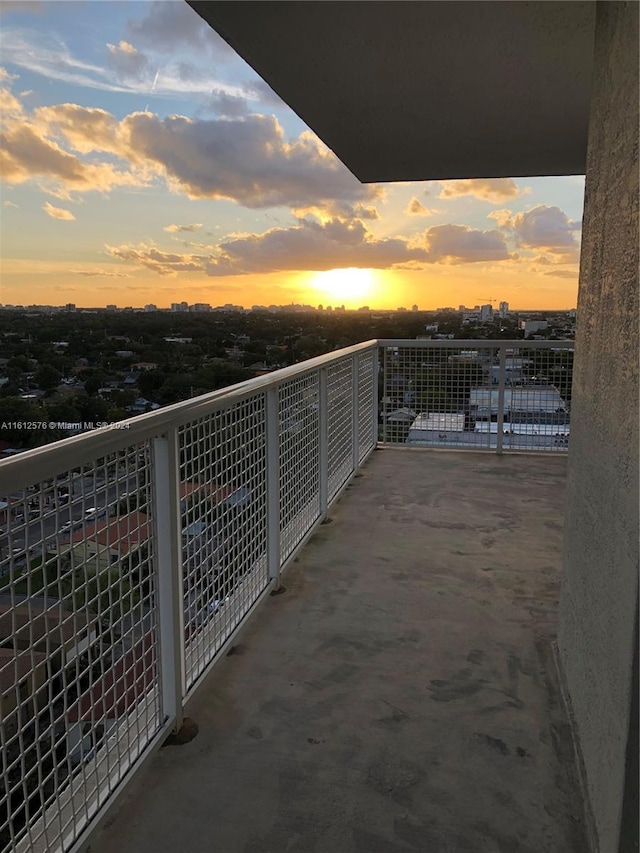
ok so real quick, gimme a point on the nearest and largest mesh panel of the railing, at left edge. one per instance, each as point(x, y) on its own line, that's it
point(78, 636)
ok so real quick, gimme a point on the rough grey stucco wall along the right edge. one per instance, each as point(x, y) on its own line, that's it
point(600, 586)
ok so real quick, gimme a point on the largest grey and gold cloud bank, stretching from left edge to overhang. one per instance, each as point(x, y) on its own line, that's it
point(247, 160)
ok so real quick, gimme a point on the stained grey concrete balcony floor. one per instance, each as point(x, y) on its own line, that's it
point(401, 695)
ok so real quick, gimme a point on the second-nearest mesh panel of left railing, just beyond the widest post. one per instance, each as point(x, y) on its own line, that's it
point(223, 500)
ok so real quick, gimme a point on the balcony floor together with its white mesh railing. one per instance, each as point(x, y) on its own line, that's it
point(397, 693)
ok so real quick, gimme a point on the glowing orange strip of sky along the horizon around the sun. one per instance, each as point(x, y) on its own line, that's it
point(33, 282)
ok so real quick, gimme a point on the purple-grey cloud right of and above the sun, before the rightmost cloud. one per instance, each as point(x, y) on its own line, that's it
point(459, 244)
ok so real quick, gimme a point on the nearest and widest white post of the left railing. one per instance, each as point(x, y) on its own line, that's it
point(170, 583)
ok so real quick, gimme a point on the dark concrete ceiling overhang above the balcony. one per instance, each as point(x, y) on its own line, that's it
point(408, 91)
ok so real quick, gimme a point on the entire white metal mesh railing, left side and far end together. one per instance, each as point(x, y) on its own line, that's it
point(131, 555)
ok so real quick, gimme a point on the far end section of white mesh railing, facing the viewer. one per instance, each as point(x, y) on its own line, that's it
point(481, 395)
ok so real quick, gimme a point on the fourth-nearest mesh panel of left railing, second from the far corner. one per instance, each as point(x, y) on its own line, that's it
point(339, 424)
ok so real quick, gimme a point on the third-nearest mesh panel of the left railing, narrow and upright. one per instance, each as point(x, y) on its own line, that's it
point(298, 411)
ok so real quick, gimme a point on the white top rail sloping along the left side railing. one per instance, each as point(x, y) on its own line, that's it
point(45, 462)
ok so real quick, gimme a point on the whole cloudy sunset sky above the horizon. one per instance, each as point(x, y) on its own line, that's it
point(143, 161)
